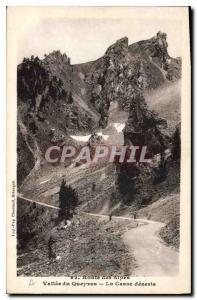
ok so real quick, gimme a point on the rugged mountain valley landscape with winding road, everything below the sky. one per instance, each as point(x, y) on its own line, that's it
point(125, 220)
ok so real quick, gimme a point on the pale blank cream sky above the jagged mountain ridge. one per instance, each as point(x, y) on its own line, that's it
point(86, 39)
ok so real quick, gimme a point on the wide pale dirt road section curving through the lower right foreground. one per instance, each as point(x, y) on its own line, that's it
point(153, 258)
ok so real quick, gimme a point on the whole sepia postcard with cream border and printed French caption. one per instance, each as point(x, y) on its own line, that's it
point(100, 140)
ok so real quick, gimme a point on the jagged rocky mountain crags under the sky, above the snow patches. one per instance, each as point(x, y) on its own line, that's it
point(56, 98)
